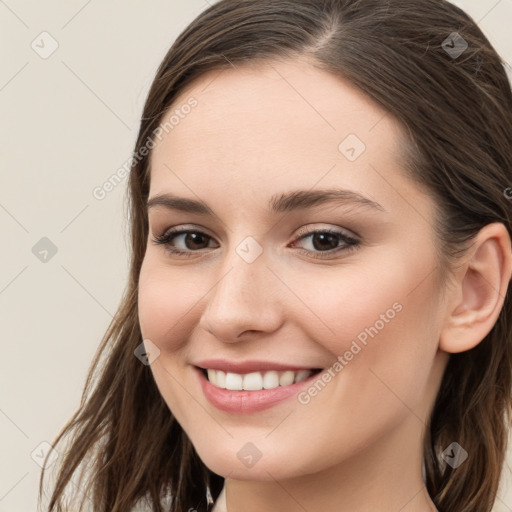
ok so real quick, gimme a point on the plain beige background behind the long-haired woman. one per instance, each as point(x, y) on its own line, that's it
point(69, 121)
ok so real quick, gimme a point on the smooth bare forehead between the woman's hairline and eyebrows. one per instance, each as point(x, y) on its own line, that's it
point(276, 126)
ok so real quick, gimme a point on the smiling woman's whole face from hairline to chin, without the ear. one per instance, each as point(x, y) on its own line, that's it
point(260, 280)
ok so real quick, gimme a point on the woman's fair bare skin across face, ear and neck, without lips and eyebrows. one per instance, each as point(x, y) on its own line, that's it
point(357, 445)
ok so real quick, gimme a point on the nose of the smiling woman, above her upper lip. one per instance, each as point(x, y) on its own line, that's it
point(247, 296)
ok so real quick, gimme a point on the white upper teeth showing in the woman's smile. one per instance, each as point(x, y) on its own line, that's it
point(256, 380)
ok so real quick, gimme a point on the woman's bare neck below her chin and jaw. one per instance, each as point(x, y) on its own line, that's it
point(386, 476)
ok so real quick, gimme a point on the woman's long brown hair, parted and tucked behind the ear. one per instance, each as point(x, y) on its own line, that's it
point(457, 111)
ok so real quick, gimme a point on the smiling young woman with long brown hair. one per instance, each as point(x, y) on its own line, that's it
point(317, 316)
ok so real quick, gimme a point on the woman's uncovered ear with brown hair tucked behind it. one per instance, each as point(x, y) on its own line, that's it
point(479, 292)
